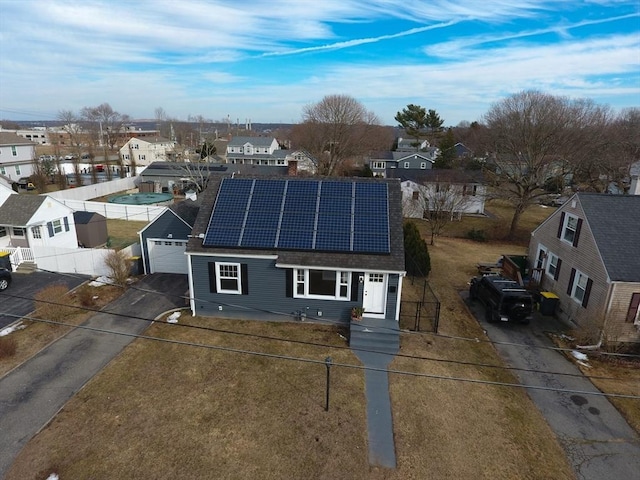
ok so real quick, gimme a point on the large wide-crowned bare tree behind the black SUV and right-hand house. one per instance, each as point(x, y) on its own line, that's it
point(533, 136)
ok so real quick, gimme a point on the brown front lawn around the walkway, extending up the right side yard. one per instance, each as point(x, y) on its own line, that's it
point(174, 411)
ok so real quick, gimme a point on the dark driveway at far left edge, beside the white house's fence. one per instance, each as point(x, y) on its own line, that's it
point(27, 285)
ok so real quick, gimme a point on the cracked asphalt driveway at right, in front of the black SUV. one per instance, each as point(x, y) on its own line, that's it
point(598, 441)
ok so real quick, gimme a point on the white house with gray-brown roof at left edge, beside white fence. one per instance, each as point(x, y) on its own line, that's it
point(36, 220)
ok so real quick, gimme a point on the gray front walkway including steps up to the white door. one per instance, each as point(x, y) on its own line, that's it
point(375, 342)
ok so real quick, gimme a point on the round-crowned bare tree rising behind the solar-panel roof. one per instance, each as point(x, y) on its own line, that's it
point(335, 130)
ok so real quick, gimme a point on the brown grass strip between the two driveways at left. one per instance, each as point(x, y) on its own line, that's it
point(38, 335)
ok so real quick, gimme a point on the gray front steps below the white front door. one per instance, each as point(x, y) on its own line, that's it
point(375, 336)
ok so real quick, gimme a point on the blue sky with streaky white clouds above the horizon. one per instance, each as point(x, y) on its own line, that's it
point(266, 59)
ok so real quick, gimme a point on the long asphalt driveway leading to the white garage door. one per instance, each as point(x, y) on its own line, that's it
point(34, 392)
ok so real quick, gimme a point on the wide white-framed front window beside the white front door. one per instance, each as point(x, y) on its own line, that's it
point(329, 284)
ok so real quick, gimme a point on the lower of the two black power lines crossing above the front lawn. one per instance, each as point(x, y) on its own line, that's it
point(344, 365)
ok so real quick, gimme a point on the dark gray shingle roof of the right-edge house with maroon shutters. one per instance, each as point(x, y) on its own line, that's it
point(614, 221)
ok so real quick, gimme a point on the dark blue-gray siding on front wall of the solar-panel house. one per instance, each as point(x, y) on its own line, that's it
point(267, 295)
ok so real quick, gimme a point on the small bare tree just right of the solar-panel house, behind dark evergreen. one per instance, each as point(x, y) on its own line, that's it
point(439, 203)
